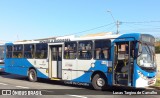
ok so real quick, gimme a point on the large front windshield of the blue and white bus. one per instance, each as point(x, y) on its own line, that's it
point(146, 58)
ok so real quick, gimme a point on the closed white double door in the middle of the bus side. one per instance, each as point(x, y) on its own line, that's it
point(56, 61)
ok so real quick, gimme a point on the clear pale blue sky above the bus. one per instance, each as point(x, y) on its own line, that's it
point(33, 19)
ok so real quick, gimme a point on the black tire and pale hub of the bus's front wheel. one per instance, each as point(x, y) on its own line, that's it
point(99, 82)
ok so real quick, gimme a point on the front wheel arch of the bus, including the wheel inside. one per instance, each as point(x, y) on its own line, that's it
point(99, 81)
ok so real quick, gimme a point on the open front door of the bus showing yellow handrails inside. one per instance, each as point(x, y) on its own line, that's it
point(123, 64)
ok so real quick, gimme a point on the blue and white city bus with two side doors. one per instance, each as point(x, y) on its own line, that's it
point(102, 61)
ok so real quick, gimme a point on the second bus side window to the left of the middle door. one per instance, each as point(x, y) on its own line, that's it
point(29, 51)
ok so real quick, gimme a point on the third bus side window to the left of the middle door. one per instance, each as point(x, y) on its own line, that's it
point(17, 51)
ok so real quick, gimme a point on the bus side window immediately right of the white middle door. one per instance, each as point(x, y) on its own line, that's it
point(70, 50)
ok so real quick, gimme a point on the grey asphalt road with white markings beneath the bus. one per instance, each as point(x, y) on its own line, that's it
point(56, 89)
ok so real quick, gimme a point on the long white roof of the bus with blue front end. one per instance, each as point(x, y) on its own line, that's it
point(102, 35)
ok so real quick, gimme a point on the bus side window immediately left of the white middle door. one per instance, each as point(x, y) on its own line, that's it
point(41, 51)
